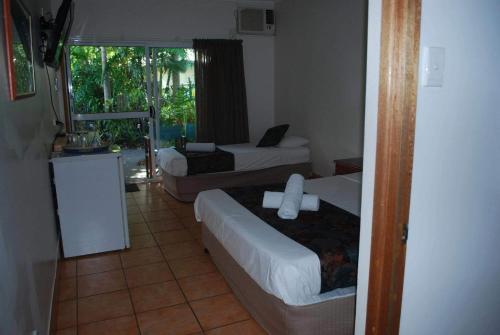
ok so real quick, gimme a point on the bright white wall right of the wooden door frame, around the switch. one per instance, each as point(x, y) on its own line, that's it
point(452, 276)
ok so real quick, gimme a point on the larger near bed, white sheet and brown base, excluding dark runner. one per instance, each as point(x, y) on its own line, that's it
point(276, 278)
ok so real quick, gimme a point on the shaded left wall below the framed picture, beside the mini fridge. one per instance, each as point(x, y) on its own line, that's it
point(28, 240)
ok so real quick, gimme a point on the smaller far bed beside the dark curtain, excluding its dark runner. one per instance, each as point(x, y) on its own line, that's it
point(252, 166)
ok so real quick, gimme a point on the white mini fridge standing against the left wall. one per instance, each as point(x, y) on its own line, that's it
point(91, 203)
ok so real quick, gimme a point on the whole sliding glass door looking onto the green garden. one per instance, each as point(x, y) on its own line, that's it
point(129, 92)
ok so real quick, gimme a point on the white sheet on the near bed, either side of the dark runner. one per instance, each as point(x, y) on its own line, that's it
point(279, 265)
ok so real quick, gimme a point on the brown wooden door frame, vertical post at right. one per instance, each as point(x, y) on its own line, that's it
point(399, 54)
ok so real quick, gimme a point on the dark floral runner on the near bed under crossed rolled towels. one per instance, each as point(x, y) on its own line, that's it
point(332, 233)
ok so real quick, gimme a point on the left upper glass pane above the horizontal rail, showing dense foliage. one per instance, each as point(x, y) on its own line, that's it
point(108, 79)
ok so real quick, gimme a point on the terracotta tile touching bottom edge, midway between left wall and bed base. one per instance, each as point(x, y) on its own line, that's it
point(175, 320)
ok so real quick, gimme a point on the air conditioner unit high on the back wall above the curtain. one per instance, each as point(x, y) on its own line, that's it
point(256, 21)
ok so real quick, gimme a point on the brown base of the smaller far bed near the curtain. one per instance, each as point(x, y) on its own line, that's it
point(187, 188)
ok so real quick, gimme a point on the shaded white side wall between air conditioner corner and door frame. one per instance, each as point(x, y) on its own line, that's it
point(320, 70)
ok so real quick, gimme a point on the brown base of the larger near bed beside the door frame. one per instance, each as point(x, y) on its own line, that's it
point(277, 318)
